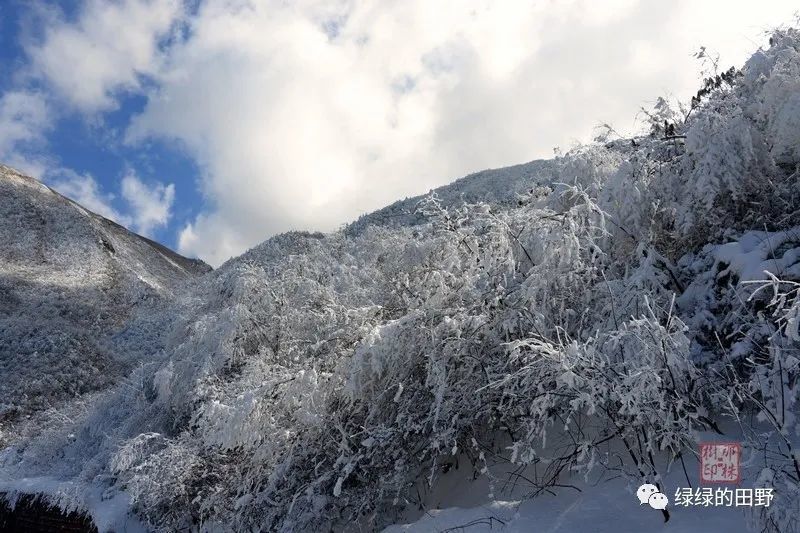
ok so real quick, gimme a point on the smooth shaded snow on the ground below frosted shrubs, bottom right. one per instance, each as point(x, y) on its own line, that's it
point(602, 502)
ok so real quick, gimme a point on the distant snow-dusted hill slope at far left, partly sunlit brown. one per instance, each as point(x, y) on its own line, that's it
point(81, 299)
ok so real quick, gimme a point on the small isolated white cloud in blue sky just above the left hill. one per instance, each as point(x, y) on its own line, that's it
point(150, 205)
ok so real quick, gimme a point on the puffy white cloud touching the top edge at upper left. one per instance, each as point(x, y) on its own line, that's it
point(110, 46)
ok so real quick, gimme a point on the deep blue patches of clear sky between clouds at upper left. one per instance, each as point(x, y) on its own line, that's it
point(91, 143)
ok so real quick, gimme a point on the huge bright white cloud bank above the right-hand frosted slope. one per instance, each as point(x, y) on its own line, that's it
point(305, 114)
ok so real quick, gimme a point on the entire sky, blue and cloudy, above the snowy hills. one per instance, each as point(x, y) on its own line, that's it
point(211, 125)
